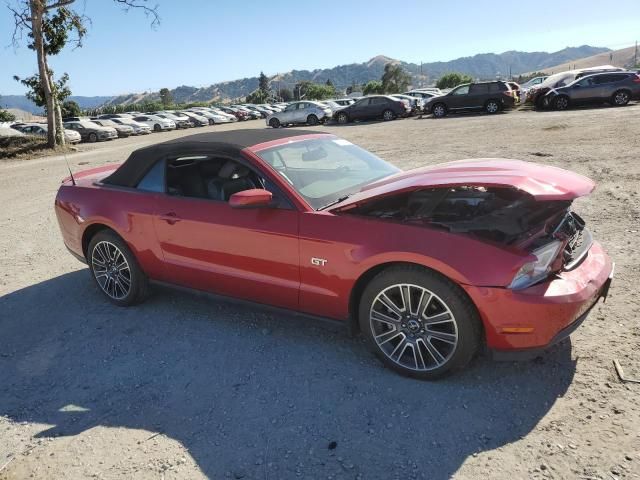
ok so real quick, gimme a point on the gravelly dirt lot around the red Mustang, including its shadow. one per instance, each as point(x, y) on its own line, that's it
point(184, 387)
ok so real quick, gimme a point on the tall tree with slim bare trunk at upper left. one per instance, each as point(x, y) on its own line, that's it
point(49, 25)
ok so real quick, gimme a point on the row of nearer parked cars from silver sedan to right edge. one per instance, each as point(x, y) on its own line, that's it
point(604, 84)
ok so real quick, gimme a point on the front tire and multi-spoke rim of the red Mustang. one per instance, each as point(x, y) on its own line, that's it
point(463, 321)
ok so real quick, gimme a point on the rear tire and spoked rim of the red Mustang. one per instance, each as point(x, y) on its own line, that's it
point(138, 287)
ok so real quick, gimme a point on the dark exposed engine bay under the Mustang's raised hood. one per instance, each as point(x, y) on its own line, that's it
point(504, 215)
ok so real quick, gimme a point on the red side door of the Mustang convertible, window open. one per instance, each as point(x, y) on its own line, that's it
point(249, 253)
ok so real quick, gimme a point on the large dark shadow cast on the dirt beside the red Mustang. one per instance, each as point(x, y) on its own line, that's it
point(250, 393)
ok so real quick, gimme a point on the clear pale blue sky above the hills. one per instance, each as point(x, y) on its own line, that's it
point(200, 42)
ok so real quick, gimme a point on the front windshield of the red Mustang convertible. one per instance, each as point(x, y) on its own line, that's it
point(323, 171)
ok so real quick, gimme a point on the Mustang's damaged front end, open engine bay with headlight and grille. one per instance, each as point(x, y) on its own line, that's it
point(553, 235)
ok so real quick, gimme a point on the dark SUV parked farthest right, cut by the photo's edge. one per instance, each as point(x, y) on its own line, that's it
point(616, 88)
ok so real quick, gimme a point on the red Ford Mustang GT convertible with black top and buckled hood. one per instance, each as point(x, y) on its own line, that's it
point(431, 264)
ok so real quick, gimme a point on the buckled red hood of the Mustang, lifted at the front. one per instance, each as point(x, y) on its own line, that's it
point(543, 182)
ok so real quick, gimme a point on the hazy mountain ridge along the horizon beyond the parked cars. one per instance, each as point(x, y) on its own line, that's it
point(481, 66)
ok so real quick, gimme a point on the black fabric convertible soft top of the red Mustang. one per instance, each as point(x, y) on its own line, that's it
point(228, 143)
